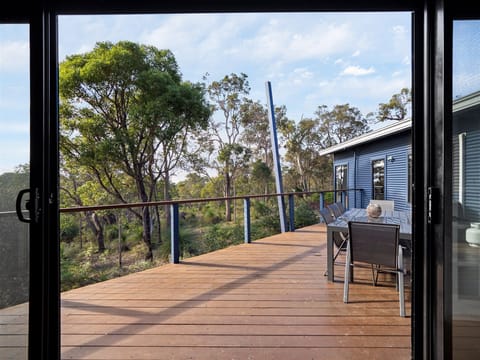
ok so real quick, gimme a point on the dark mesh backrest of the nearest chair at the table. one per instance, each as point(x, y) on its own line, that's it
point(374, 243)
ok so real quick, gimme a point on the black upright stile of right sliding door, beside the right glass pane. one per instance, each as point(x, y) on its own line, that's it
point(438, 170)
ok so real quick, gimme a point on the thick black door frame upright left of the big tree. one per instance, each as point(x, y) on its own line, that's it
point(44, 309)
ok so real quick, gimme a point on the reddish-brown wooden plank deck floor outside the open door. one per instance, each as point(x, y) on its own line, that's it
point(265, 300)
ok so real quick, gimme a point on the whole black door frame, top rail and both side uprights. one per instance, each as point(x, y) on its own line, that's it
point(431, 69)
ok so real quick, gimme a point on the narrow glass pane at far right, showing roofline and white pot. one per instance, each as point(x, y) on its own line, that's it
point(466, 191)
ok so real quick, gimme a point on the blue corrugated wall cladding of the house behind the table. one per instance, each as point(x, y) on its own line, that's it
point(397, 147)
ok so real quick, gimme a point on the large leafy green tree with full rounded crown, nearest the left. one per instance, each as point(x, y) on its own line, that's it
point(121, 104)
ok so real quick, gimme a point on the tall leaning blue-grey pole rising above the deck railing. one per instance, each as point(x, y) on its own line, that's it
point(276, 157)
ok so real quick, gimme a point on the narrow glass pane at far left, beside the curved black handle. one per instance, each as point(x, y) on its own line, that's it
point(14, 176)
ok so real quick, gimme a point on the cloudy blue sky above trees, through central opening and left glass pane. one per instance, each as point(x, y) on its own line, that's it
point(310, 59)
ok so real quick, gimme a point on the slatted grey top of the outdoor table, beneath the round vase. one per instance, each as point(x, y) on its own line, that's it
point(402, 218)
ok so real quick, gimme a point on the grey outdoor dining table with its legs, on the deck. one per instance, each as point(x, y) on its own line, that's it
point(402, 218)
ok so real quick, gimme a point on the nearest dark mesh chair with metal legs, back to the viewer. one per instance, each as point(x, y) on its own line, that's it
point(378, 245)
